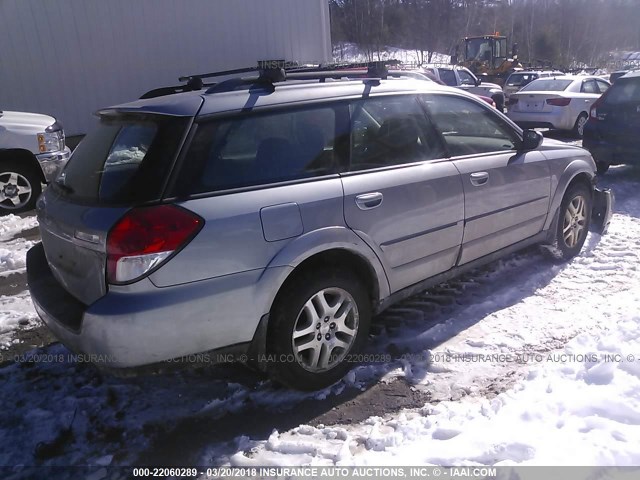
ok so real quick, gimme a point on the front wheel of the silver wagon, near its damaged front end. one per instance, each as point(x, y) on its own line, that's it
point(573, 222)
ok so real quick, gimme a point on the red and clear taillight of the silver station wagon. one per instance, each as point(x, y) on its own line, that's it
point(146, 237)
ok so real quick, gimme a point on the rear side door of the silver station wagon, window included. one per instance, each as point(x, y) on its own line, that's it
point(400, 194)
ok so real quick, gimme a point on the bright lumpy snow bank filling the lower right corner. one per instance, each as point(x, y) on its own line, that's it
point(580, 407)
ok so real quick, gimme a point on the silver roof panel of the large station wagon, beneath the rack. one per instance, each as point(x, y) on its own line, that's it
point(290, 92)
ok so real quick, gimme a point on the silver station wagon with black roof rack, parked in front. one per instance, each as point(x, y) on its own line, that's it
point(271, 216)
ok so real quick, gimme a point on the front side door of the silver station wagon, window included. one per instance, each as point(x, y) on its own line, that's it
point(506, 192)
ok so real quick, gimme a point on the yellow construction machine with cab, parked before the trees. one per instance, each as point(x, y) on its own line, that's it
point(487, 56)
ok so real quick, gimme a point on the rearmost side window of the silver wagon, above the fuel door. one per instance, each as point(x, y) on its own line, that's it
point(267, 148)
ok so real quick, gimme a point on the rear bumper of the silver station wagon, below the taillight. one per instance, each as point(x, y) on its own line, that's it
point(147, 325)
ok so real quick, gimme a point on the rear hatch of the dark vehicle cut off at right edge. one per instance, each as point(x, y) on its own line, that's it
point(618, 113)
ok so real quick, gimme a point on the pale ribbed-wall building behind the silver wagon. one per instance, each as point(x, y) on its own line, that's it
point(68, 58)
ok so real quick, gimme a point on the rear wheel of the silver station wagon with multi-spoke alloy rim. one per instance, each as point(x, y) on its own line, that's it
point(316, 326)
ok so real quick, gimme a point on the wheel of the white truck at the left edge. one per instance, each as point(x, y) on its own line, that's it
point(20, 187)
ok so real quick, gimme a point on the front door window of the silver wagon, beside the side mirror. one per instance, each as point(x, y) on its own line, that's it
point(469, 128)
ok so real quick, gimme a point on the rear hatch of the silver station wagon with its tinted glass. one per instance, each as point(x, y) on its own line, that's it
point(124, 162)
